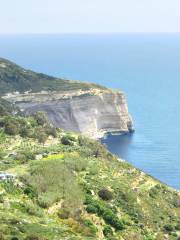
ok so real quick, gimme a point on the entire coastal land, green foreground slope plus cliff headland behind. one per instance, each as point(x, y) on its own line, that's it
point(57, 184)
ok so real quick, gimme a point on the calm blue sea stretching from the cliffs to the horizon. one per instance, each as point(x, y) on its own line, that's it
point(145, 66)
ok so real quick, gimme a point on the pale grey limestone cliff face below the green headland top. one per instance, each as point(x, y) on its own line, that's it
point(93, 113)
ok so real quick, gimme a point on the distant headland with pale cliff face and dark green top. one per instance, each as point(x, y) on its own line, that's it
point(72, 105)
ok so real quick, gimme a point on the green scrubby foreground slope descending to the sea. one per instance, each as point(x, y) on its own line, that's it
point(70, 187)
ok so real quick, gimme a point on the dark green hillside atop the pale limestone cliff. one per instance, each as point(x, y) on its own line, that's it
point(15, 78)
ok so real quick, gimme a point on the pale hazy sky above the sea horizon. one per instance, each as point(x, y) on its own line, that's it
point(89, 16)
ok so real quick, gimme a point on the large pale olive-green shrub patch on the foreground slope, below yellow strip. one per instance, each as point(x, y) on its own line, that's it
point(52, 181)
